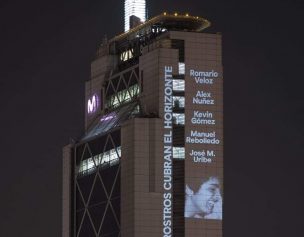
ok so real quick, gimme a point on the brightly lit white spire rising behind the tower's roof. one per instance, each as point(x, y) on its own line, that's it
point(135, 8)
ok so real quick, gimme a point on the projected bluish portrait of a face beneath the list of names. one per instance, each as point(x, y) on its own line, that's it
point(203, 199)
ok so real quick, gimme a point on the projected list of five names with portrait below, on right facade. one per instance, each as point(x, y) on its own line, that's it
point(203, 148)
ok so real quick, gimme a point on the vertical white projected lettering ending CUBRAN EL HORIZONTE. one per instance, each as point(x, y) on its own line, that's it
point(167, 197)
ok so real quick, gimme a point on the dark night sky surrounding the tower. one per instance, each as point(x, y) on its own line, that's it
point(45, 52)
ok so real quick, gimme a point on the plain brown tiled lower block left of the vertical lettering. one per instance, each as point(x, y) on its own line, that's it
point(141, 205)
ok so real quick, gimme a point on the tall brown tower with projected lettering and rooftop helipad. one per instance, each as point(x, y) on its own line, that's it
point(151, 160)
